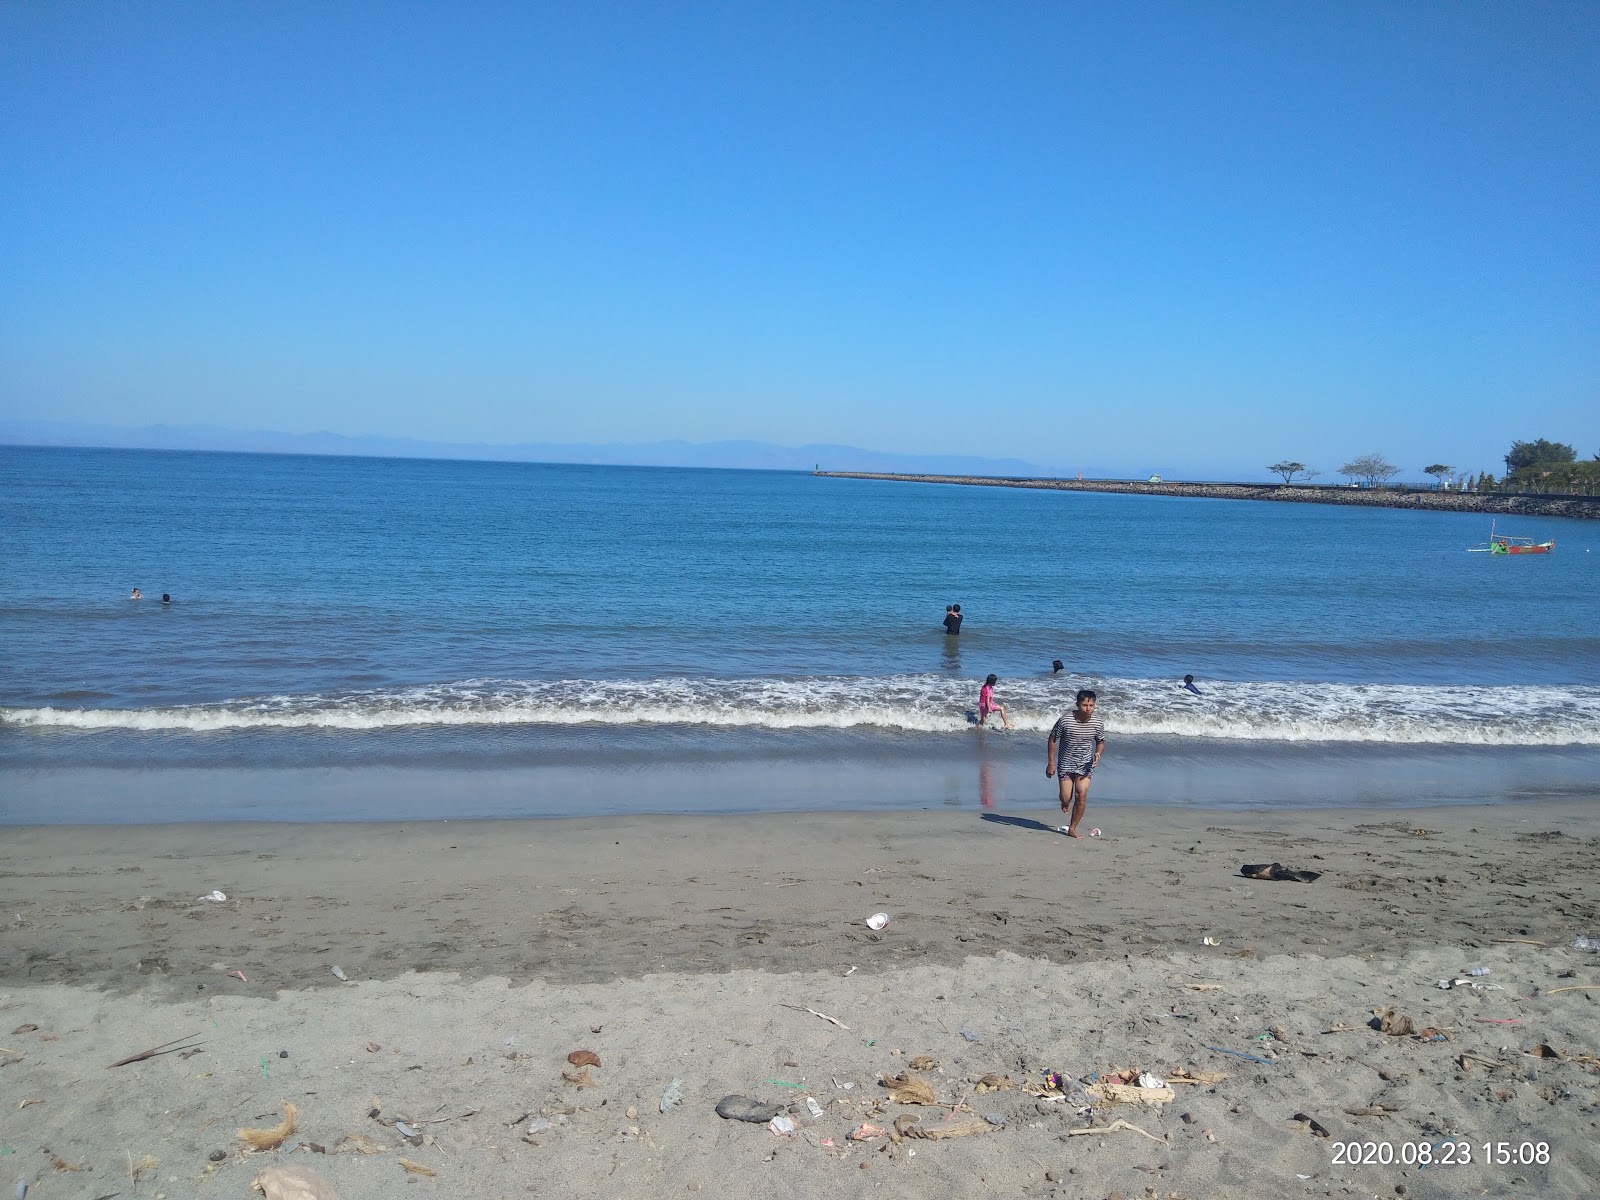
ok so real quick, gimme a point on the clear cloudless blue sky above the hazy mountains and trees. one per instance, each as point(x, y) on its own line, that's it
point(1193, 238)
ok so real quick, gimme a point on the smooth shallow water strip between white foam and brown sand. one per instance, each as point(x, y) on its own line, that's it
point(986, 774)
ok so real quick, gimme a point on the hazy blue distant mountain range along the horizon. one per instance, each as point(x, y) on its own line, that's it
point(738, 455)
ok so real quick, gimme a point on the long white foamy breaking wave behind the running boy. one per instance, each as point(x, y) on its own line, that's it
point(1263, 711)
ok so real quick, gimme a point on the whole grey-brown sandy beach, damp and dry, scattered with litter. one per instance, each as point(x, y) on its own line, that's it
point(481, 954)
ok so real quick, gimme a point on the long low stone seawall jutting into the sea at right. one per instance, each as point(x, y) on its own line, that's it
point(1380, 498)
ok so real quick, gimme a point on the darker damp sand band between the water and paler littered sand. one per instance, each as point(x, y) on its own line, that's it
point(519, 892)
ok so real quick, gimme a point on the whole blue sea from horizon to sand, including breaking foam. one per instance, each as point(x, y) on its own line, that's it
point(407, 639)
